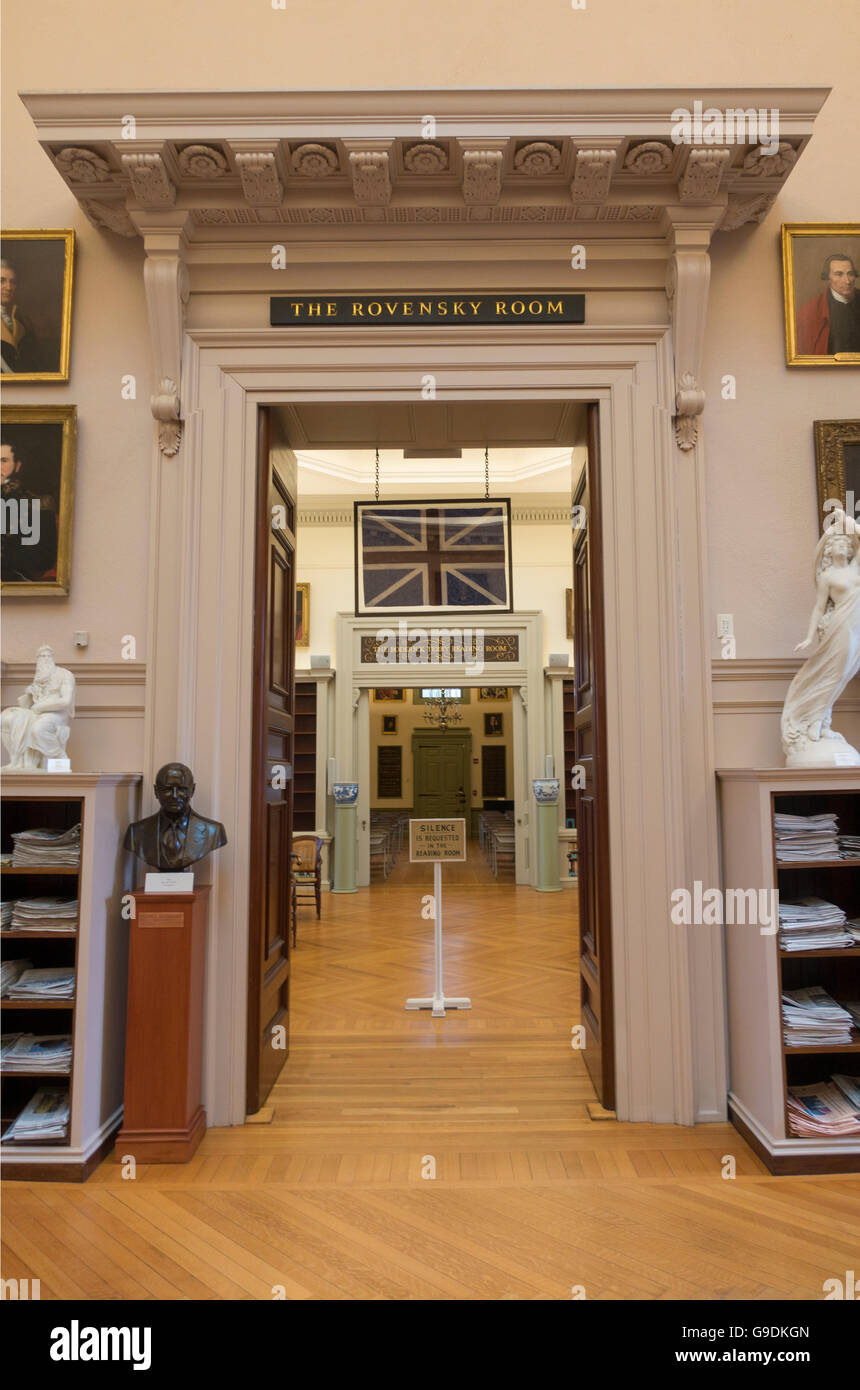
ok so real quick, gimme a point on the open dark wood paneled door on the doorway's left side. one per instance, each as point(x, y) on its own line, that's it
point(272, 762)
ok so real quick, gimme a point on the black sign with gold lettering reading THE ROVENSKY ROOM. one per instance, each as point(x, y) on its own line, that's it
point(411, 311)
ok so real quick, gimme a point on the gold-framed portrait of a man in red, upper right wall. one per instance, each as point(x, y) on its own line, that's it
point(822, 295)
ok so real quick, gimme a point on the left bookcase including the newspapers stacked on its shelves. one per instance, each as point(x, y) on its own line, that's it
point(63, 874)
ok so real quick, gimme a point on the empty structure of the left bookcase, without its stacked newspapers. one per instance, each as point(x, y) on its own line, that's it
point(98, 953)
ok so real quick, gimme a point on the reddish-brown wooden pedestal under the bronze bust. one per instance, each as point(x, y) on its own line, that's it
point(165, 1120)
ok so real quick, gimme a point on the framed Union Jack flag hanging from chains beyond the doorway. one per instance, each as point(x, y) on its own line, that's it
point(422, 557)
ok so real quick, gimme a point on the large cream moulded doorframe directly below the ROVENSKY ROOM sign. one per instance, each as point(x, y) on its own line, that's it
point(670, 1021)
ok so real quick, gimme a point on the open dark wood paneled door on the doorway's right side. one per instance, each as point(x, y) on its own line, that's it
point(590, 744)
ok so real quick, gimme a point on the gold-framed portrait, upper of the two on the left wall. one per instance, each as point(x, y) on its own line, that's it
point(37, 301)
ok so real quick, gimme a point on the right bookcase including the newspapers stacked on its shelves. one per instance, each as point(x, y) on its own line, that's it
point(794, 983)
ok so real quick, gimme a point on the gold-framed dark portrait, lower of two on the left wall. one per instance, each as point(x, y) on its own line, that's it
point(38, 469)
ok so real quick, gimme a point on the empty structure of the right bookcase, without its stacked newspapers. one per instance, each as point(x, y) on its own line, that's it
point(762, 1067)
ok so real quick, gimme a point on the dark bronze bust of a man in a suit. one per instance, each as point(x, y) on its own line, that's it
point(176, 836)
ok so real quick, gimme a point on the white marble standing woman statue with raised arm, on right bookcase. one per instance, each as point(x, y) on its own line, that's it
point(808, 739)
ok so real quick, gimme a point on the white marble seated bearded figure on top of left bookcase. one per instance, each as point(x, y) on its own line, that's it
point(38, 726)
